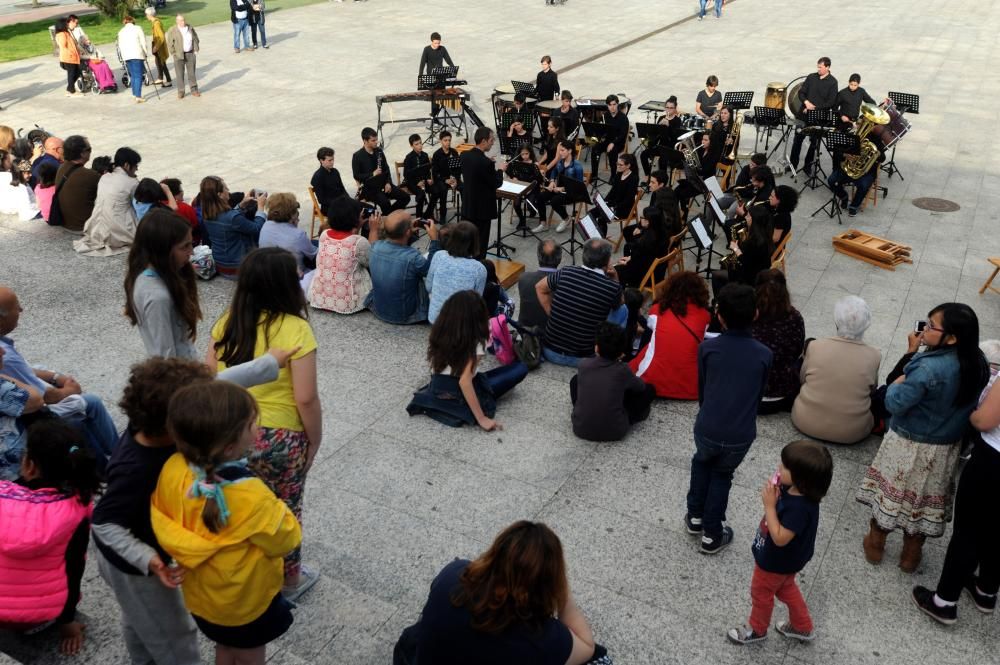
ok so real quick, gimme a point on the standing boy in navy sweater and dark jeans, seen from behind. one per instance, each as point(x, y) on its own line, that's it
point(732, 374)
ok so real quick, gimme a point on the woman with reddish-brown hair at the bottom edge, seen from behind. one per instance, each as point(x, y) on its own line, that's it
point(511, 605)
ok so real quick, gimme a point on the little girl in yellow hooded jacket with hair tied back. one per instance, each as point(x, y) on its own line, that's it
point(221, 524)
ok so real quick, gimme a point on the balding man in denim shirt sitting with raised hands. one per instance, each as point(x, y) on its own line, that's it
point(397, 270)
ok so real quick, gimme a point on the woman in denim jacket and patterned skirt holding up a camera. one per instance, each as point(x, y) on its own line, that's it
point(909, 484)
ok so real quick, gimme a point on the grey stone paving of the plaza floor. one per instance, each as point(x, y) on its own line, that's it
point(392, 499)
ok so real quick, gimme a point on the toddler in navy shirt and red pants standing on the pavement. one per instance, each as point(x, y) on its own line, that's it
point(785, 540)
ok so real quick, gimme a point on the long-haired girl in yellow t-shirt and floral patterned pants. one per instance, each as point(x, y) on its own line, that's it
point(269, 310)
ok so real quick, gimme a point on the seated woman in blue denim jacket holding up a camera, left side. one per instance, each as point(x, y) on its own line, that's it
point(231, 233)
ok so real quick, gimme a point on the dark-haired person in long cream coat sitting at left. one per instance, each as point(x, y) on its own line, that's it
point(110, 229)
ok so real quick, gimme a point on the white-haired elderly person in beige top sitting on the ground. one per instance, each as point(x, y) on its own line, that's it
point(838, 376)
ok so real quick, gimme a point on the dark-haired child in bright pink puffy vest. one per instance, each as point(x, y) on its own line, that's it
point(44, 531)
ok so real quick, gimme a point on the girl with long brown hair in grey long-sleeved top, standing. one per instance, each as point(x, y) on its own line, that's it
point(161, 294)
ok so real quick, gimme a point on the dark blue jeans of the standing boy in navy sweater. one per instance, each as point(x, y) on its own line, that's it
point(712, 468)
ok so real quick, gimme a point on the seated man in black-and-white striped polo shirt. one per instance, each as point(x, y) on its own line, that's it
point(577, 299)
